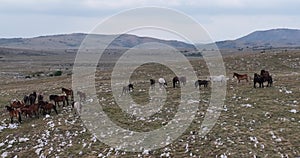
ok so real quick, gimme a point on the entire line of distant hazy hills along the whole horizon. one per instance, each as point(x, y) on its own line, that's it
point(273, 38)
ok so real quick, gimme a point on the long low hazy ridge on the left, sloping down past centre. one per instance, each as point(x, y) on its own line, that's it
point(73, 41)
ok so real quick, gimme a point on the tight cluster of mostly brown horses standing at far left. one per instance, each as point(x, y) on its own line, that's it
point(34, 104)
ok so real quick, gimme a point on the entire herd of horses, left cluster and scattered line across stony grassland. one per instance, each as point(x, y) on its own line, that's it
point(34, 104)
